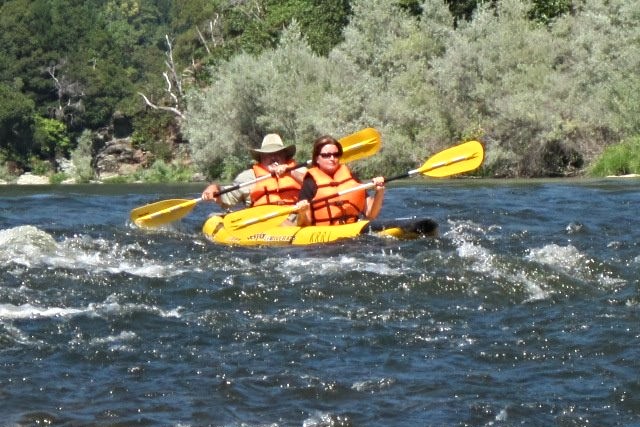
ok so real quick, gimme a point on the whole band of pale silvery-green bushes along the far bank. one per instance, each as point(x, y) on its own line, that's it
point(546, 98)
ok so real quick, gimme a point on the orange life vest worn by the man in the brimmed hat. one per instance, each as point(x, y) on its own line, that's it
point(274, 191)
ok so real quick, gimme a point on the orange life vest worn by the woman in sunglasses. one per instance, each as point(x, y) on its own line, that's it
point(338, 210)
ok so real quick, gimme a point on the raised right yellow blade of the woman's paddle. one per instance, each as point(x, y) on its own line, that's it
point(461, 158)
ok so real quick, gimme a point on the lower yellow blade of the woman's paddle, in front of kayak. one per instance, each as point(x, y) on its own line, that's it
point(252, 220)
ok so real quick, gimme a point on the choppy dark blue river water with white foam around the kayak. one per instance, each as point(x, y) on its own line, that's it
point(524, 312)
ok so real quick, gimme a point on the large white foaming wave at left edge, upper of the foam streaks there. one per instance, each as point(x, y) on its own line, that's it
point(29, 246)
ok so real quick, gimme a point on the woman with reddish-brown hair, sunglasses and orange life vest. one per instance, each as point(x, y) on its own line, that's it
point(327, 177)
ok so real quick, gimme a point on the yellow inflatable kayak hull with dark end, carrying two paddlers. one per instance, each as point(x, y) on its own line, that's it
point(213, 229)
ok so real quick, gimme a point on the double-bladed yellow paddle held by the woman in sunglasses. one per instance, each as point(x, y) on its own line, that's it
point(462, 158)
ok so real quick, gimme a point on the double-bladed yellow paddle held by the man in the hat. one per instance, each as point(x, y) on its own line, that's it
point(356, 146)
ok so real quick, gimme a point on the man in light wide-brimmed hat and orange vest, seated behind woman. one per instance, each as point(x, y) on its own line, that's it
point(282, 187)
